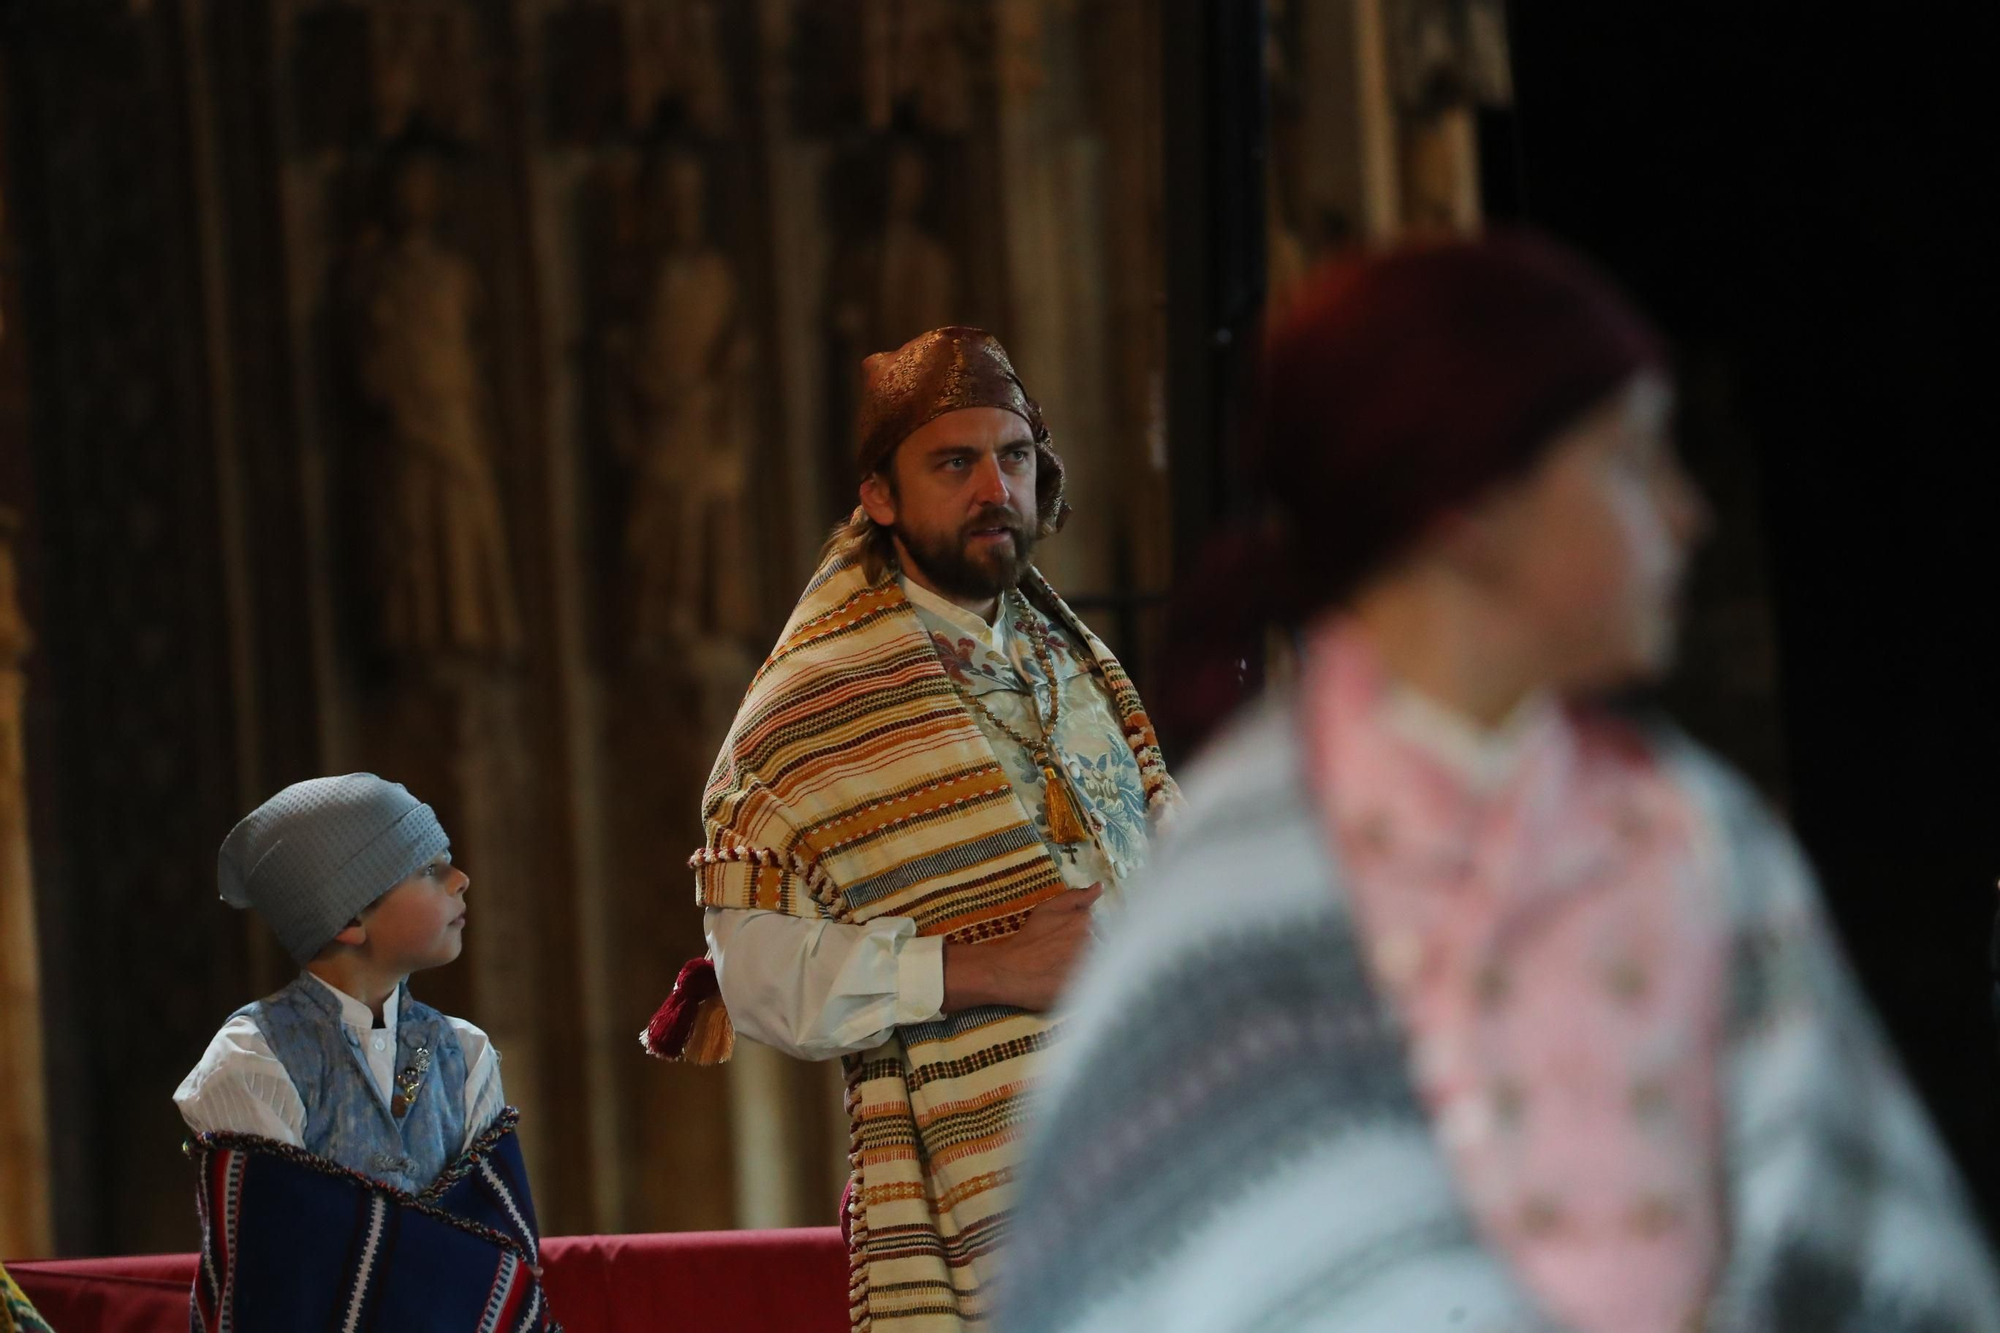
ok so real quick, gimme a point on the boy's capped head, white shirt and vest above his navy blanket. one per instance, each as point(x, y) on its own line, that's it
point(357, 880)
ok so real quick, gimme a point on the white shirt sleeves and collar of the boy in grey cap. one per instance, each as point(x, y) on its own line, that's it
point(241, 1088)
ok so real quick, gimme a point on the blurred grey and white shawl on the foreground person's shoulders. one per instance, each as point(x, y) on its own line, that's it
point(1231, 1138)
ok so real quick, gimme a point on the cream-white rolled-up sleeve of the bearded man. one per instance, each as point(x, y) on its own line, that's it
point(821, 988)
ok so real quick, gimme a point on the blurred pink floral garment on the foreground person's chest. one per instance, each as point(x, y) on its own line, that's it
point(1545, 918)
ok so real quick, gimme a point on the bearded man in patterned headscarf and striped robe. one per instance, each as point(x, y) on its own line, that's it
point(935, 786)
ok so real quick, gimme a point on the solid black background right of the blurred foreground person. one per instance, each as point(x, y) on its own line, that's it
point(1793, 195)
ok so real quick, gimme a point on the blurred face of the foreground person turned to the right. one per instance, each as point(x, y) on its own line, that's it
point(1589, 553)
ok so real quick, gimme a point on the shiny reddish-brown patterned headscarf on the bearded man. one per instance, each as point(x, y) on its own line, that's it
point(945, 371)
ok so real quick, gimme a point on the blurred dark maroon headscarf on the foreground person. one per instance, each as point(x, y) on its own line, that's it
point(1399, 387)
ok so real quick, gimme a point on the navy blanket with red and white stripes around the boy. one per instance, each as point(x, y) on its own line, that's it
point(295, 1242)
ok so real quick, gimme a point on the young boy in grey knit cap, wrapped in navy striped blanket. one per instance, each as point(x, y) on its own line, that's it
point(353, 1148)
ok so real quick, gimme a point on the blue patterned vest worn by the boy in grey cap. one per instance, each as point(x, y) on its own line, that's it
point(347, 1118)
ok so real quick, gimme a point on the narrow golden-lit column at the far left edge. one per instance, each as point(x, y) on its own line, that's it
point(25, 1228)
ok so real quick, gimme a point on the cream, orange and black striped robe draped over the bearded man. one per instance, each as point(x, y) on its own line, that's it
point(857, 786)
